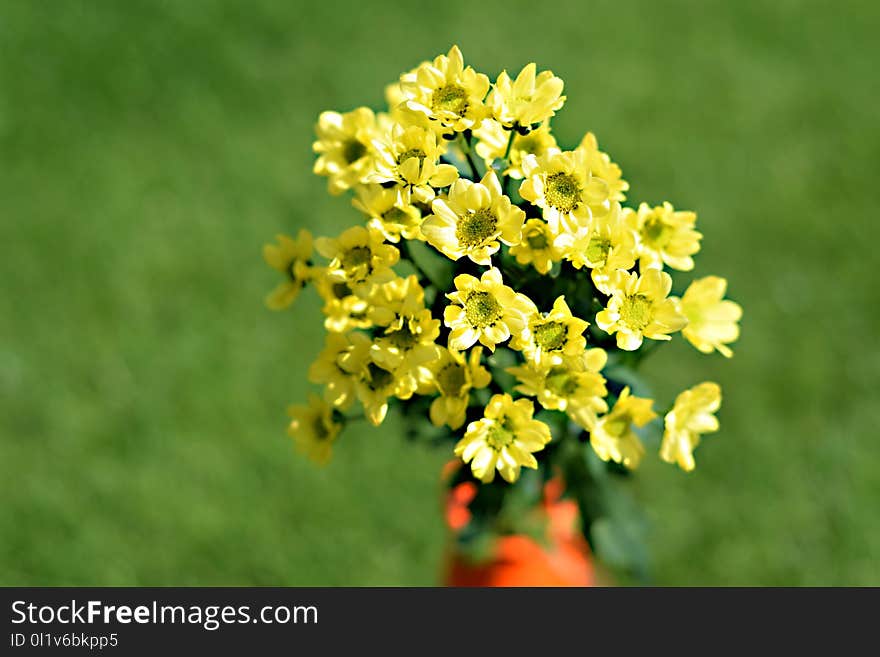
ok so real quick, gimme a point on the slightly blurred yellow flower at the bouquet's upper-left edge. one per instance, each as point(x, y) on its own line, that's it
point(344, 144)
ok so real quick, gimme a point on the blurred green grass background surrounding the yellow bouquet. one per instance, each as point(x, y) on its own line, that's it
point(148, 149)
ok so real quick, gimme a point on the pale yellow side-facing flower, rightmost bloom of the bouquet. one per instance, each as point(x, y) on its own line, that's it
point(712, 320)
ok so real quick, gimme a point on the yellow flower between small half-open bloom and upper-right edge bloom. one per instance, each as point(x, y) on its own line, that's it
point(607, 245)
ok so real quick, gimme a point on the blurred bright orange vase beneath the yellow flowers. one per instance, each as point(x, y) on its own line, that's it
point(519, 560)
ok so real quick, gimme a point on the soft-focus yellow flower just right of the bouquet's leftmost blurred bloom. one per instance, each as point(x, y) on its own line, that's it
point(359, 258)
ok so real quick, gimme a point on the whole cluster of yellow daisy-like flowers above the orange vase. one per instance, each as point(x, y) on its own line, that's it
point(471, 170)
